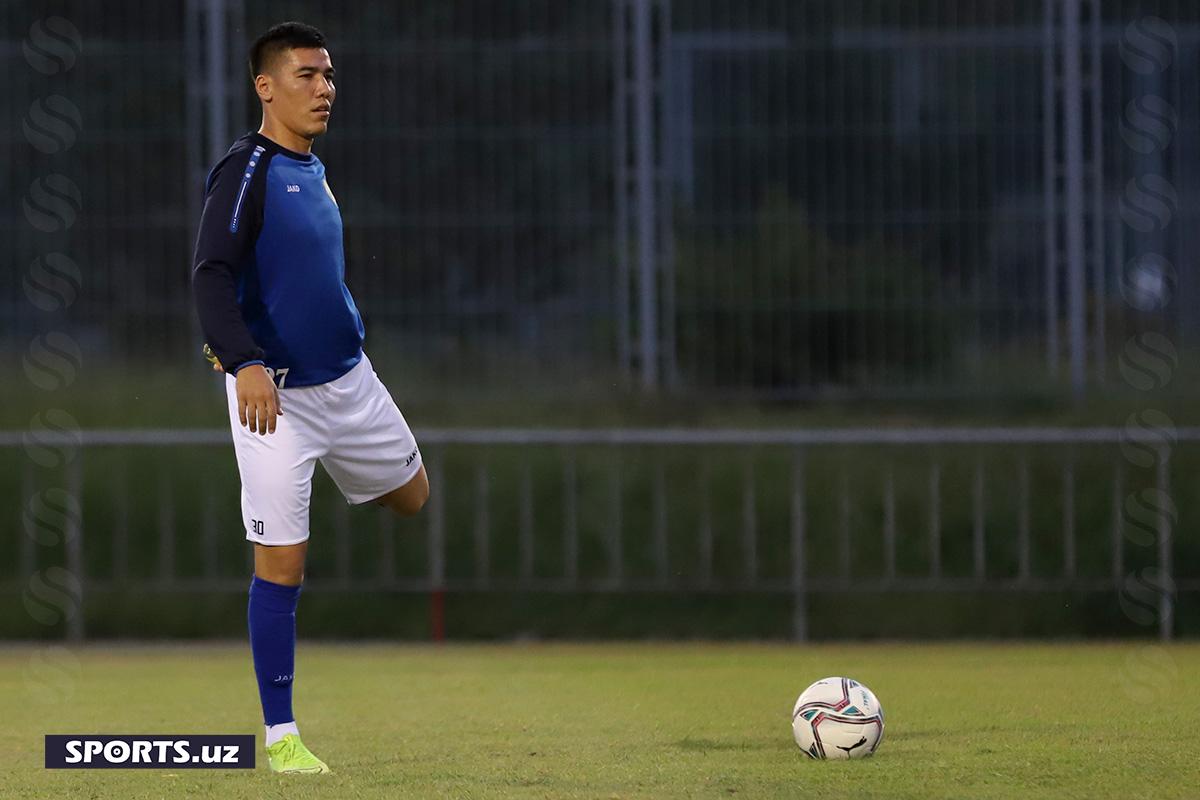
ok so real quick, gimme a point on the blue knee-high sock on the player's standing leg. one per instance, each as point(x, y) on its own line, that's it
point(273, 642)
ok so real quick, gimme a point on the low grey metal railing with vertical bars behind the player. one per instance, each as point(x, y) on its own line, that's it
point(784, 513)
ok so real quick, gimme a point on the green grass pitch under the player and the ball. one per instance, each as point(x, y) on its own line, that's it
point(627, 721)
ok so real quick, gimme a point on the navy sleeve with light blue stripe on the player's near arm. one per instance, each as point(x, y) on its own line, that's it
point(230, 226)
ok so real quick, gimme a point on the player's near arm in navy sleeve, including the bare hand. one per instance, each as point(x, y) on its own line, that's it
point(233, 207)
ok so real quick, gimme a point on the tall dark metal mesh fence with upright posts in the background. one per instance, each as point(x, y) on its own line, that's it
point(766, 197)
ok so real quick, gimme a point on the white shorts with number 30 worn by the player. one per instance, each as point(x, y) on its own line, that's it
point(351, 425)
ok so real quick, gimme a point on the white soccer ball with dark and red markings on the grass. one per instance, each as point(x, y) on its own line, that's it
point(838, 718)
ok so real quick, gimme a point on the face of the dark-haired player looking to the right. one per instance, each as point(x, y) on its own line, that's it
point(301, 89)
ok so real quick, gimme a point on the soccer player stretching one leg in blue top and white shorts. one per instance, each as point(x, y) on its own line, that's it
point(269, 282)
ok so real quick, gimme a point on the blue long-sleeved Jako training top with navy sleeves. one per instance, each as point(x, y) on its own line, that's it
point(269, 272)
